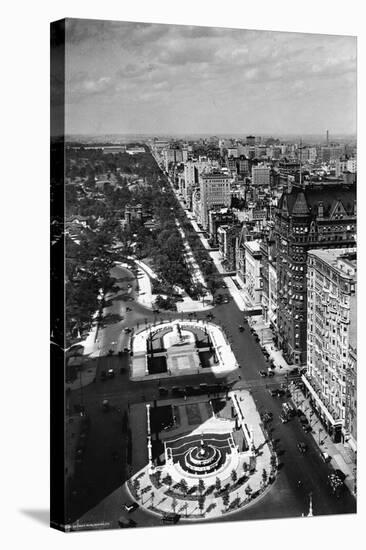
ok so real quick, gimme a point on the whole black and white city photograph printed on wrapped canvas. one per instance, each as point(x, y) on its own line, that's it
point(204, 269)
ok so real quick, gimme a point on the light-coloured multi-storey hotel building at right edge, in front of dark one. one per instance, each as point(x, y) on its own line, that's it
point(331, 338)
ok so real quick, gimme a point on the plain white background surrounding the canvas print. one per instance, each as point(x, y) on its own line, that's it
point(24, 488)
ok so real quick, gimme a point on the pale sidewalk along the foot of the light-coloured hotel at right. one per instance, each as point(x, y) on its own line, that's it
point(341, 457)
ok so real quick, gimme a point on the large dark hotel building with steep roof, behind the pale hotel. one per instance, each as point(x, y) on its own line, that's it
point(312, 217)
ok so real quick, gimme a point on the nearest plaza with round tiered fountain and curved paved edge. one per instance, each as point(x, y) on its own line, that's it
point(212, 460)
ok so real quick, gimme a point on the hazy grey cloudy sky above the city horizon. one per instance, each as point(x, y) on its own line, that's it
point(124, 77)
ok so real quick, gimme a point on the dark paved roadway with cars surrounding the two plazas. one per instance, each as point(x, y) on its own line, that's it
point(96, 493)
